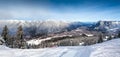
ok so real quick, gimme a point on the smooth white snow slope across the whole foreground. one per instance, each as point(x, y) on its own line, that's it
point(107, 49)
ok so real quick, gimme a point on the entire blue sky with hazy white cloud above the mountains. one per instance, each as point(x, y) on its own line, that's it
point(70, 10)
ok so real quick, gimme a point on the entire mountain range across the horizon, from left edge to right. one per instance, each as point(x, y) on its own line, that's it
point(45, 27)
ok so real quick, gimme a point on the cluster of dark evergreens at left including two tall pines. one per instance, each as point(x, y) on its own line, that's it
point(13, 41)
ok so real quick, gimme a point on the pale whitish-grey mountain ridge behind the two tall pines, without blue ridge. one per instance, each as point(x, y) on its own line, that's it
point(34, 26)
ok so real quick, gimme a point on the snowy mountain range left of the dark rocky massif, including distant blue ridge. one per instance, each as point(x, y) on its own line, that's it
point(40, 27)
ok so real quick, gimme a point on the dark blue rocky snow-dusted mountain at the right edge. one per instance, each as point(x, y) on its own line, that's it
point(107, 26)
